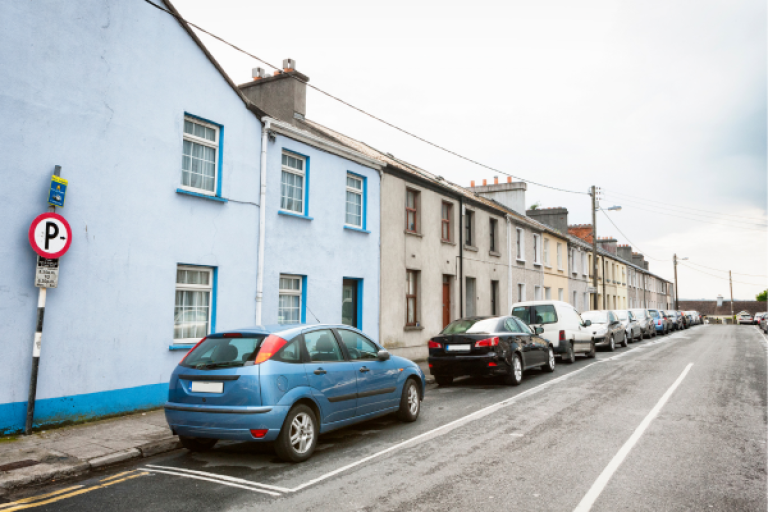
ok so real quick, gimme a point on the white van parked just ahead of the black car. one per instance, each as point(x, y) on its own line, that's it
point(562, 324)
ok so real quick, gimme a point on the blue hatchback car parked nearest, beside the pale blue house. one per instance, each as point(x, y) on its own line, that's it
point(287, 384)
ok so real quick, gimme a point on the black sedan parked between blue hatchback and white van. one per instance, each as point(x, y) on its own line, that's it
point(476, 346)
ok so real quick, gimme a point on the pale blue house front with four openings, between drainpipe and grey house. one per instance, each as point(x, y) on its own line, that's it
point(320, 248)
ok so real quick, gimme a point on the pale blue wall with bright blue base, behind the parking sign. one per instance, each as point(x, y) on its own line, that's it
point(100, 87)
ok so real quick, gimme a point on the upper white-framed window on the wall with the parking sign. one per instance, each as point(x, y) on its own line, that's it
point(199, 161)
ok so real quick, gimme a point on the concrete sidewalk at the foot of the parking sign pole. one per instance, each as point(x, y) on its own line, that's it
point(67, 451)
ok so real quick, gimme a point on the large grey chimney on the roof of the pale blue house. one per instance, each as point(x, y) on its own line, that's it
point(282, 96)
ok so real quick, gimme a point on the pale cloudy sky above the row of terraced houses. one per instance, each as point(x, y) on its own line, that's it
point(661, 104)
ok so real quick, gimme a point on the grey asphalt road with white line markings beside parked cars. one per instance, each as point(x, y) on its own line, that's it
point(674, 423)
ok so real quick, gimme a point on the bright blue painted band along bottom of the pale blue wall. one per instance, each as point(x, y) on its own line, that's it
point(76, 408)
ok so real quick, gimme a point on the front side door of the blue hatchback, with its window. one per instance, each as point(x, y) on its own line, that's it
point(376, 380)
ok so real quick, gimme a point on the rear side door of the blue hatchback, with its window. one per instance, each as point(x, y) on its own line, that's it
point(332, 378)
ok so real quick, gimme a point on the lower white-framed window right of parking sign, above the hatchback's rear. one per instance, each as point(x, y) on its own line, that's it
point(192, 314)
